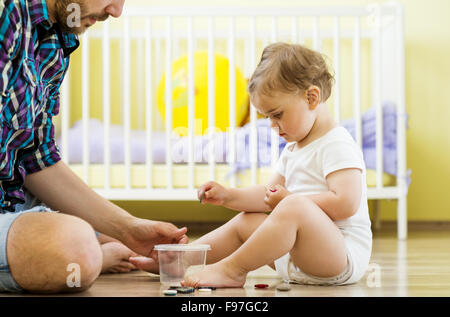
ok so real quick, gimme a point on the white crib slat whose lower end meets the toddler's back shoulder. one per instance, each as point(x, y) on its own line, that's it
point(357, 81)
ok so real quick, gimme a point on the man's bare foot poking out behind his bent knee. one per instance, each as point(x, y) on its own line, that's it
point(115, 258)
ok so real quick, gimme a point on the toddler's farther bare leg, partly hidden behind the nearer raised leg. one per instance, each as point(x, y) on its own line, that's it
point(229, 237)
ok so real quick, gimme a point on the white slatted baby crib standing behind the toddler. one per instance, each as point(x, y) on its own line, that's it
point(152, 38)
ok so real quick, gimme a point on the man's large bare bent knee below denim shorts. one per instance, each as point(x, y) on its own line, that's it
point(50, 252)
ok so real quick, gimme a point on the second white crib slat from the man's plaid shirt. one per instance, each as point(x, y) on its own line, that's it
point(85, 105)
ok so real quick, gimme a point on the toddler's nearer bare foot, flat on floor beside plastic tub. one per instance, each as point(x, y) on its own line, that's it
point(219, 274)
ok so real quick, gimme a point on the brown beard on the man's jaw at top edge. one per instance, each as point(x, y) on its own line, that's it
point(70, 19)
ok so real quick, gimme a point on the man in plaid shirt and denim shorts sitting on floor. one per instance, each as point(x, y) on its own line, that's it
point(41, 250)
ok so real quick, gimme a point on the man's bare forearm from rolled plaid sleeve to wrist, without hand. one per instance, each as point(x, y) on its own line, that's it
point(61, 189)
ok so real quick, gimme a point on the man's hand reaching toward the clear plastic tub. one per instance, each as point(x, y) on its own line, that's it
point(144, 234)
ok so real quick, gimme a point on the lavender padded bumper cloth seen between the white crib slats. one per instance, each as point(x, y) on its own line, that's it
point(221, 142)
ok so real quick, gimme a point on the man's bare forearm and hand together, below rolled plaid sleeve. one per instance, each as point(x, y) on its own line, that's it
point(62, 190)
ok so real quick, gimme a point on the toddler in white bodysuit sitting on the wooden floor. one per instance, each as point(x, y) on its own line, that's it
point(310, 221)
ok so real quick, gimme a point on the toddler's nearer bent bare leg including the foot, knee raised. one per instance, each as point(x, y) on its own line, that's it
point(297, 225)
